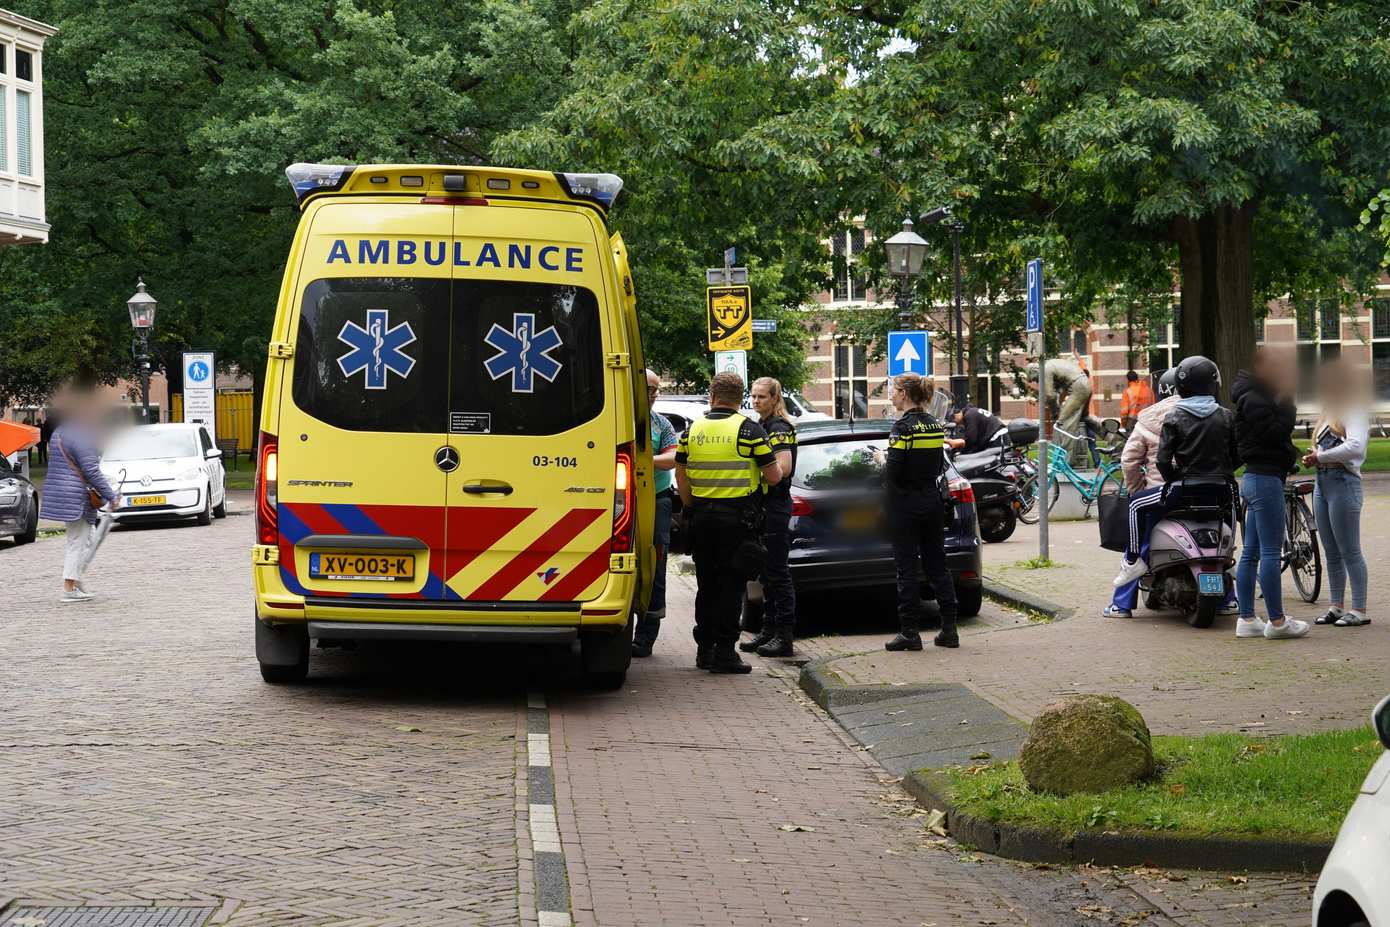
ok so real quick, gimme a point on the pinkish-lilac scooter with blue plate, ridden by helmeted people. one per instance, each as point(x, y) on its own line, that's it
point(1191, 552)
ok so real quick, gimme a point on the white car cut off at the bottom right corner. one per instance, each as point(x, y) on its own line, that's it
point(1353, 890)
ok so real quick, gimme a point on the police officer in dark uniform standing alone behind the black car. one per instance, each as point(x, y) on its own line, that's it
point(917, 515)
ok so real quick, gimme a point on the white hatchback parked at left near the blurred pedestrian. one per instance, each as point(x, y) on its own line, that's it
point(166, 472)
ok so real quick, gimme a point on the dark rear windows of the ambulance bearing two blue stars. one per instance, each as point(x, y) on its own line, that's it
point(427, 355)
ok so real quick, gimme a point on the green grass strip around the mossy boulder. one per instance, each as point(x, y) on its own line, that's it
point(1298, 786)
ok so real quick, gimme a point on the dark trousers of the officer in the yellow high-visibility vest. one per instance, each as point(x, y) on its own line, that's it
point(718, 530)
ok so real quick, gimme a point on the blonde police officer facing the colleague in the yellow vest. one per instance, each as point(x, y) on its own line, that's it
point(779, 594)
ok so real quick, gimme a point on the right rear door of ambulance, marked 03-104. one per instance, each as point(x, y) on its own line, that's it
point(532, 413)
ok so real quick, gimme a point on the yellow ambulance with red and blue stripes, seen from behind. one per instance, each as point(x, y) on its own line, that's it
point(455, 440)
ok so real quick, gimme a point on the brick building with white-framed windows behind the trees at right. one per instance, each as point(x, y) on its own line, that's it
point(842, 369)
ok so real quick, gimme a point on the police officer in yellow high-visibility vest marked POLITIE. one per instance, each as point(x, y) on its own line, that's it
point(721, 463)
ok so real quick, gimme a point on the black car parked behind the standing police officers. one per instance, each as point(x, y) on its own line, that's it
point(839, 540)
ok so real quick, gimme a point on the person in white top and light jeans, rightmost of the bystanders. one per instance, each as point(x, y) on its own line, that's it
point(1339, 448)
